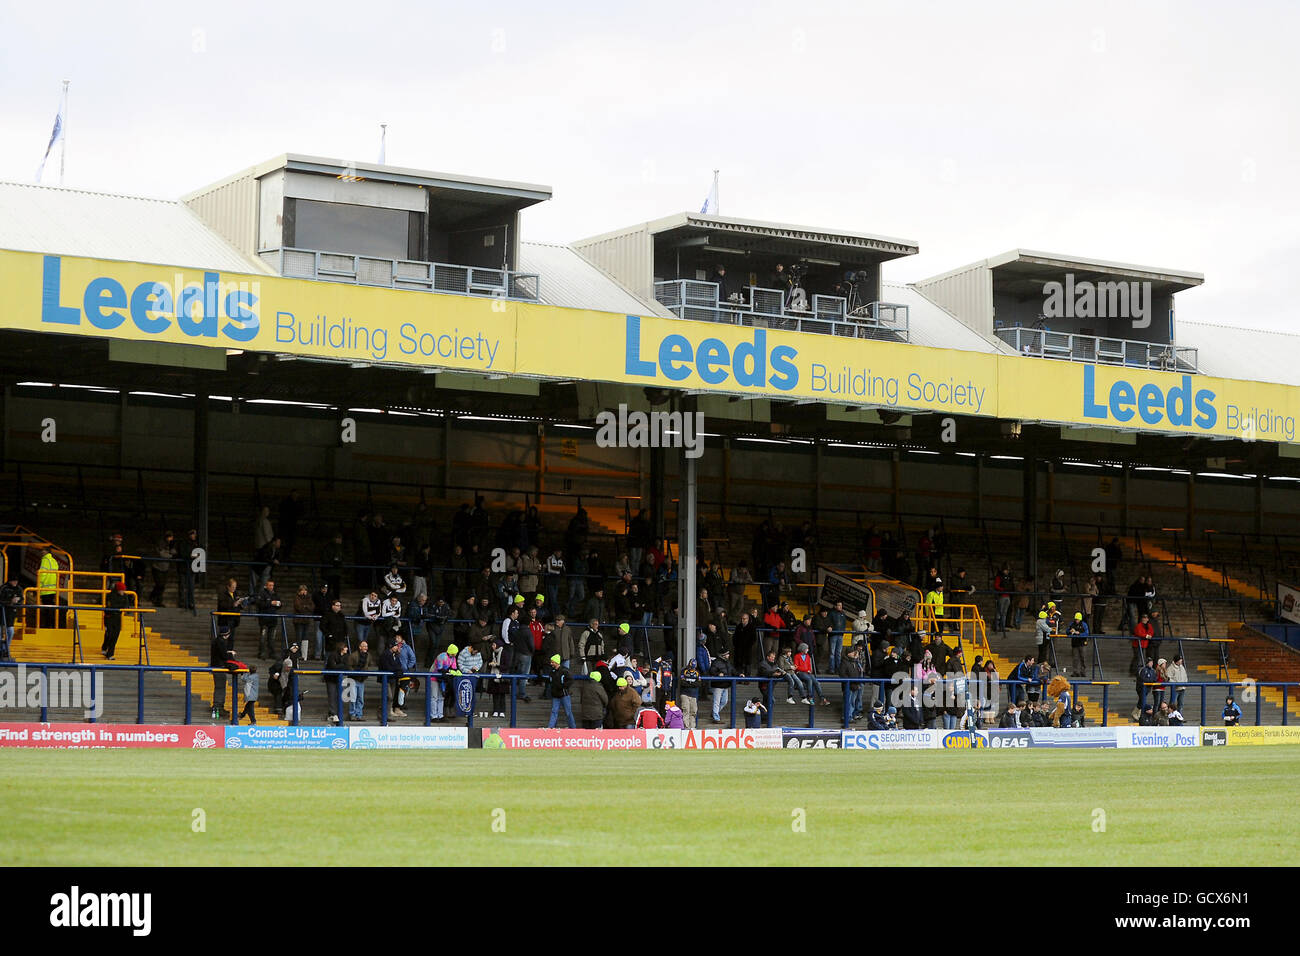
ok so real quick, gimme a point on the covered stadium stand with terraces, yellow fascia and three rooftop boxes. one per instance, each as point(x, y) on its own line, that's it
point(128, 429)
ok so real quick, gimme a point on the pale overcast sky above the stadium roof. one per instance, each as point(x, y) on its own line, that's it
point(1154, 133)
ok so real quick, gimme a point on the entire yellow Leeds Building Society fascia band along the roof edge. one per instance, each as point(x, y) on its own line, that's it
point(162, 304)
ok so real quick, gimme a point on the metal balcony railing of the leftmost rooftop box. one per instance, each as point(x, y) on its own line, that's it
point(404, 274)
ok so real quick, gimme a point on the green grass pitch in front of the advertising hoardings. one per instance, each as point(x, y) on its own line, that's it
point(1197, 807)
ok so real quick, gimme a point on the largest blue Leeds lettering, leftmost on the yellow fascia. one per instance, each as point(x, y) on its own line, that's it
point(154, 306)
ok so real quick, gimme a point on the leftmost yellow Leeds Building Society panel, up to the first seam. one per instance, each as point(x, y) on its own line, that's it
point(159, 304)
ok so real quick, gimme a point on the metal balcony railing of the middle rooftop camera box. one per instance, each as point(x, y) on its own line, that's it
point(827, 315)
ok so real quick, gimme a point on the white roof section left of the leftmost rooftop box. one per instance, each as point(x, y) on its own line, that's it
point(102, 226)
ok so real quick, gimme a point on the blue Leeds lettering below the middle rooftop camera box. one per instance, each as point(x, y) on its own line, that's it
point(713, 361)
